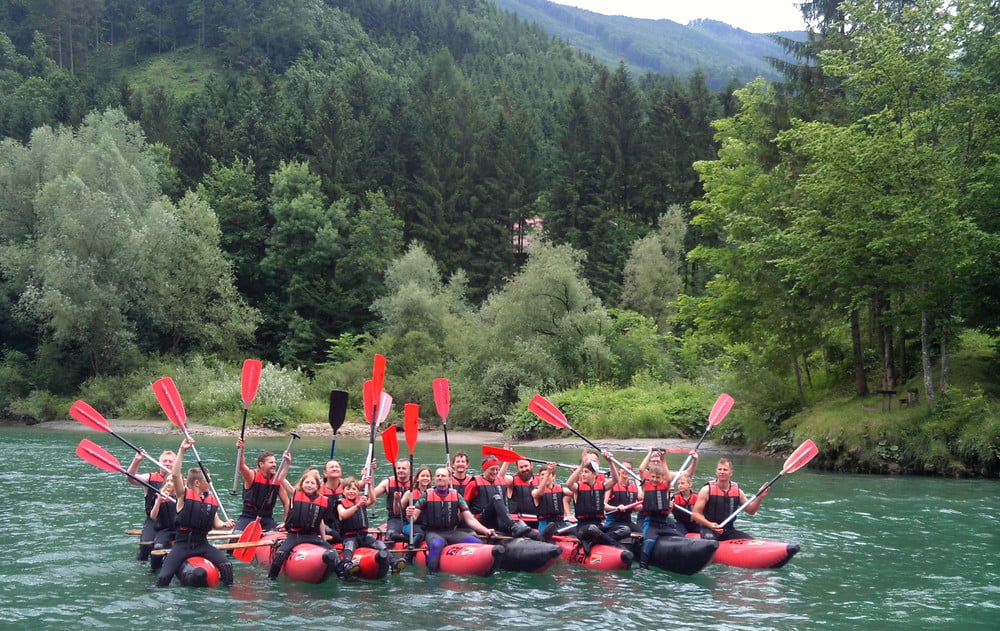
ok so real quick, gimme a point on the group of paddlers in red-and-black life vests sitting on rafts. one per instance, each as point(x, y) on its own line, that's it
point(434, 508)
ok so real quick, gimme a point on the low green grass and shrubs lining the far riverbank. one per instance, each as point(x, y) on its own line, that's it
point(959, 437)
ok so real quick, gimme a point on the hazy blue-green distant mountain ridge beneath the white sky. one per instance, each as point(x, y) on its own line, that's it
point(663, 46)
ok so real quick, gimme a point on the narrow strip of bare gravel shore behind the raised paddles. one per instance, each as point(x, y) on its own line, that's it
point(361, 431)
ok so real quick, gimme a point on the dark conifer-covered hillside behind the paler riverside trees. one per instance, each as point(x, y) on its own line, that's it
point(461, 119)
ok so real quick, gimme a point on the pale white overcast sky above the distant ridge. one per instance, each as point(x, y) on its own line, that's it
point(755, 16)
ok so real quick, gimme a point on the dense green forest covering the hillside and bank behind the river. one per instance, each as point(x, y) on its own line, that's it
point(183, 183)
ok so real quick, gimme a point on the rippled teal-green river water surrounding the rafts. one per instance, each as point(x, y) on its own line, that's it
point(877, 553)
